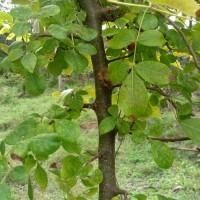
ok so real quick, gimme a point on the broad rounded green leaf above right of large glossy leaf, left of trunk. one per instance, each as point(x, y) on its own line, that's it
point(68, 131)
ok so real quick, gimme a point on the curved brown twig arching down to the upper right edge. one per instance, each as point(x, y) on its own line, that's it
point(189, 46)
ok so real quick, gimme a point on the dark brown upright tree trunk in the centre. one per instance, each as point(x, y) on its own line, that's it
point(108, 188)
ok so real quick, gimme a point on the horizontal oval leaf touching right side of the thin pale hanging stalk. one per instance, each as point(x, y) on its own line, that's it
point(151, 38)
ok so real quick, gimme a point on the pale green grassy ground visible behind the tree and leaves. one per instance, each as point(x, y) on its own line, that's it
point(136, 171)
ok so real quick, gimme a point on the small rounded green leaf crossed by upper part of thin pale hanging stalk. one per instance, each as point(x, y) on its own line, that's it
point(149, 21)
